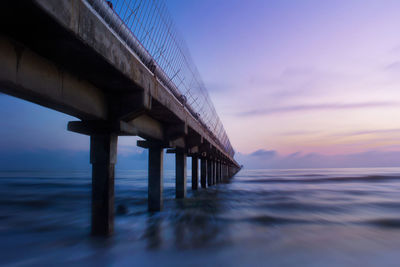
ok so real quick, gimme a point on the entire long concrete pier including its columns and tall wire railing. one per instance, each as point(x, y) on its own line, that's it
point(121, 69)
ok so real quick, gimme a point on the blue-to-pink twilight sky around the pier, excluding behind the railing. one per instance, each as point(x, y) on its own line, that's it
point(295, 83)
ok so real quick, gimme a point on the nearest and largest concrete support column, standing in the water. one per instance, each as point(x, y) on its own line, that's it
point(103, 156)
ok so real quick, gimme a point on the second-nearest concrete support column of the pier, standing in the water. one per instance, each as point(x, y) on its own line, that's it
point(155, 187)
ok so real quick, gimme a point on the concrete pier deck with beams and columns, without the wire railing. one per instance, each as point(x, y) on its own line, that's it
point(61, 55)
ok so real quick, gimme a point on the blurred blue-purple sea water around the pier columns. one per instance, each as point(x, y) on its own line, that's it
point(326, 217)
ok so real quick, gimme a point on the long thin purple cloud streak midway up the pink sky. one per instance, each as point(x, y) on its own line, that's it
point(317, 107)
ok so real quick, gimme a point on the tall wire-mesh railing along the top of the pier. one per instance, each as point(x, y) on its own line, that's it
point(148, 29)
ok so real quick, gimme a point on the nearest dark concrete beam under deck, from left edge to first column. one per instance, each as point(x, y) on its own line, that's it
point(29, 76)
